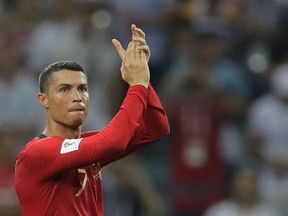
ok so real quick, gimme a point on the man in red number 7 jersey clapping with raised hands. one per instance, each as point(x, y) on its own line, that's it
point(58, 172)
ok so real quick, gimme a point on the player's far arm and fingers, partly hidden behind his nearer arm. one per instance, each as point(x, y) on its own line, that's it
point(154, 124)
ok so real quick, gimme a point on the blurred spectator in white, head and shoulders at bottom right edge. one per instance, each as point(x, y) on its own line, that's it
point(244, 198)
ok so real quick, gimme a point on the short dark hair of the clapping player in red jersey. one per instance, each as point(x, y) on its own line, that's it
point(45, 75)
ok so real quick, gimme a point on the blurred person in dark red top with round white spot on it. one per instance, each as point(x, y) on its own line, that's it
point(197, 176)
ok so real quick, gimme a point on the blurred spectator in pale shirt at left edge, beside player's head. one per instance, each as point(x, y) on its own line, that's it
point(17, 91)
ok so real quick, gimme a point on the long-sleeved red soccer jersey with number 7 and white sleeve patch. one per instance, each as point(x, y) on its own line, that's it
point(58, 176)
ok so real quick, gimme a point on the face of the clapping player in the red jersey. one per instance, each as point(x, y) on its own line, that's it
point(67, 101)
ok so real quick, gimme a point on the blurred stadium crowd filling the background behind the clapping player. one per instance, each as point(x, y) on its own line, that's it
point(221, 69)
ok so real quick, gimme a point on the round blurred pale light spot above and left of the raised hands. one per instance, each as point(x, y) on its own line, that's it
point(101, 19)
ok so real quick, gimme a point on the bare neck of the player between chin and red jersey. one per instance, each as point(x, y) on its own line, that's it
point(64, 131)
